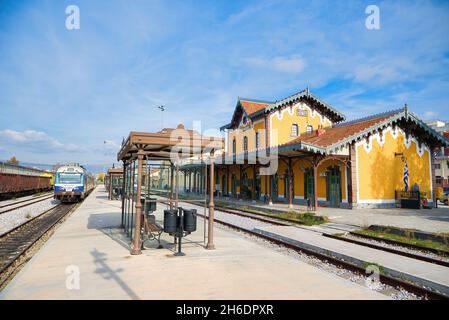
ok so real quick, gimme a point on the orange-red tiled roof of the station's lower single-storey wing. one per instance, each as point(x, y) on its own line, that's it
point(335, 134)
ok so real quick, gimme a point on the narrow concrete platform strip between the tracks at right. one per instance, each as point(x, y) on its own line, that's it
point(423, 273)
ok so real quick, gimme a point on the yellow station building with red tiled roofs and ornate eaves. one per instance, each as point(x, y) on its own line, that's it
point(320, 156)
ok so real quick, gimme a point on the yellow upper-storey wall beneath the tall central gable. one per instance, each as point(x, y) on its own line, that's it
point(281, 122)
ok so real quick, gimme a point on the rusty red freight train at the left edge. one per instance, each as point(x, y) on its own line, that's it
point(17, 181)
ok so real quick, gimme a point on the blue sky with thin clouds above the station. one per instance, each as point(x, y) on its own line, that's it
point(64, 92)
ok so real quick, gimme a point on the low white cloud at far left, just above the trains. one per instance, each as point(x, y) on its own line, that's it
point(37, 141)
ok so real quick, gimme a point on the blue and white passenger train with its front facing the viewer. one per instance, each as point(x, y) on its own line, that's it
point(73, 183)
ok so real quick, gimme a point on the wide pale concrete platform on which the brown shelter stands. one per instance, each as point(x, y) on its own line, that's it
point(89, 241)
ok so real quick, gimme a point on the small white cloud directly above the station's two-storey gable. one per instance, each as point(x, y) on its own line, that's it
point(291, 64)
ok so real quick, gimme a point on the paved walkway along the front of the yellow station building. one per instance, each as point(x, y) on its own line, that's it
point(433, 220)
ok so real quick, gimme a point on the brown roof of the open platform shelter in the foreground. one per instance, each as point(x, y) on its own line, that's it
point(160, 145)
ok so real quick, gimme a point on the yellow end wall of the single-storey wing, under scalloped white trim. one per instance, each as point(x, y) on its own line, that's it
point(380, 173)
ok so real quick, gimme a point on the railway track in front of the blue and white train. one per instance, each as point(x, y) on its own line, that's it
point(15, 243)
